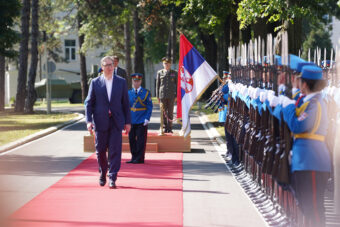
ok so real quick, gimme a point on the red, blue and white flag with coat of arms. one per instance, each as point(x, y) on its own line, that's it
point(194, 77)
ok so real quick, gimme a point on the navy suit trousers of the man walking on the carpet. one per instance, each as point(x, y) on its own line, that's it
point(110, 140)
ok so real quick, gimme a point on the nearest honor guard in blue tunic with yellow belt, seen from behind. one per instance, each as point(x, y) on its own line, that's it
point(311, 164)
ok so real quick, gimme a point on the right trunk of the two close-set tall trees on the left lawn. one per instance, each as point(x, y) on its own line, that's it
point(31, 93)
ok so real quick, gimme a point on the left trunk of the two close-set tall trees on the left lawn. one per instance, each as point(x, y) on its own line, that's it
point(22, 74)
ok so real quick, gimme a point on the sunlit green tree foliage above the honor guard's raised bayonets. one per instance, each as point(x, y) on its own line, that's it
point(288, 13)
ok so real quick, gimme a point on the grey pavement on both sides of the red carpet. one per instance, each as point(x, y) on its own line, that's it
point(211, 195)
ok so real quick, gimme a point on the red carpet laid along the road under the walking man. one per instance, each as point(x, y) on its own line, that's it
point(149, 194)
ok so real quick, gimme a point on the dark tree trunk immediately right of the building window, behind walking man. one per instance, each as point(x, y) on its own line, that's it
point(82, 58)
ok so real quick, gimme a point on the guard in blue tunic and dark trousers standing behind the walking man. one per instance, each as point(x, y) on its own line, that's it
point(141, 109)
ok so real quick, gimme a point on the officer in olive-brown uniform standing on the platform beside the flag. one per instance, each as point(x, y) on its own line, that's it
point(166, 90)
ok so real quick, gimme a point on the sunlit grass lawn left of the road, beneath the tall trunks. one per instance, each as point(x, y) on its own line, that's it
point(14, 126)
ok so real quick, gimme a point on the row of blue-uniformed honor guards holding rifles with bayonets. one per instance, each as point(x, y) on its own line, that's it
point(278, 144)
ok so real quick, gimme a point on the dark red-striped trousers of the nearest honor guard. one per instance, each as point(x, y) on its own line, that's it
point(309, 188)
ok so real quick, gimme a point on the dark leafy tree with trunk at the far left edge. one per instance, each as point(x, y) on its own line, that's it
point(9, 10)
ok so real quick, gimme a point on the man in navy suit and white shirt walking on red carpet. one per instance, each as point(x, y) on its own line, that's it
point(108, 113)
